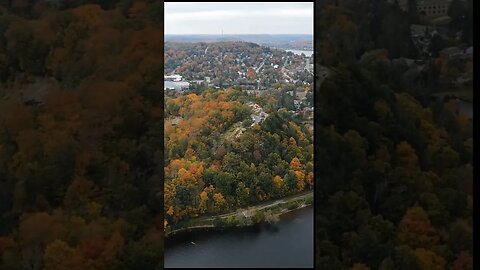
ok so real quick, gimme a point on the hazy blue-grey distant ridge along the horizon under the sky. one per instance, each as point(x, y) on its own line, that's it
point(285, 41)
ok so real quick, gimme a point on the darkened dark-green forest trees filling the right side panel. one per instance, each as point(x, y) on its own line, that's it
point(394, 170)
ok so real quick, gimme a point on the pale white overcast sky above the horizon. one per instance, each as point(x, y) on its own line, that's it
point(238, 18)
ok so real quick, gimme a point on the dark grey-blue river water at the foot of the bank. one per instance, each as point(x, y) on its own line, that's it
point(289, 243)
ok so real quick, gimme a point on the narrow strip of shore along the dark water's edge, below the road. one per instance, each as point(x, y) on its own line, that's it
point(208, 227)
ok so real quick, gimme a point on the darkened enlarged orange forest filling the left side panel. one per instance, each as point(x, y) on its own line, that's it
point(81, 135)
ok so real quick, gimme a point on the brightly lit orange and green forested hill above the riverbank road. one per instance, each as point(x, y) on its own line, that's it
point(217, 159)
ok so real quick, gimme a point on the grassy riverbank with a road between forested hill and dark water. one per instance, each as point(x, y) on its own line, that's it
point(253, 215)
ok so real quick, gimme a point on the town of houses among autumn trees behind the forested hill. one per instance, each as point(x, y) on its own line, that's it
point(250, 68)
